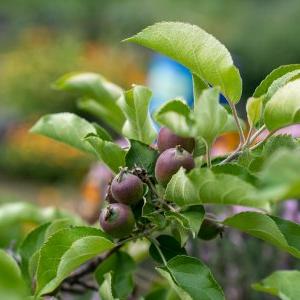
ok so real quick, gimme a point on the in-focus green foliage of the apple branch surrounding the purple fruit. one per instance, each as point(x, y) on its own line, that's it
point(256, 174)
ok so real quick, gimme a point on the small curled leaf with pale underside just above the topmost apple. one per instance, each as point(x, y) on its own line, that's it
point(175, 114)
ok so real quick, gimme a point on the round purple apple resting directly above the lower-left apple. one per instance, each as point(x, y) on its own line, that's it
point(127, 188)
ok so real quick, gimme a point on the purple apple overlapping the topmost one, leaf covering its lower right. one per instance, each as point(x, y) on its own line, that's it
point(170, 161)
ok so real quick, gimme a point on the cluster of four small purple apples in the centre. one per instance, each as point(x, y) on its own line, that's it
point(128, 187)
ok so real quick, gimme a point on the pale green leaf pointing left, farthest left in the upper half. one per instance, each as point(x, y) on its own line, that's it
point(66, 128)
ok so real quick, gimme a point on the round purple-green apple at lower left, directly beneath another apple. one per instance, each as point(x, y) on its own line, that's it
point(117, 220)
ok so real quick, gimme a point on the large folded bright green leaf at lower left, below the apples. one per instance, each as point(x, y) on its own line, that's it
point(66, 250)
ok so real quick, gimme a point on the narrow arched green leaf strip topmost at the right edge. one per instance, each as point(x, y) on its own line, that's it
point(273, 76)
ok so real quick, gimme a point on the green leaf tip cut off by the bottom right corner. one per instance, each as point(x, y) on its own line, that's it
point(284, 284)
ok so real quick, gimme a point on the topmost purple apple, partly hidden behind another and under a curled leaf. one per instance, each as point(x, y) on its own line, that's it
point(167, 139)
